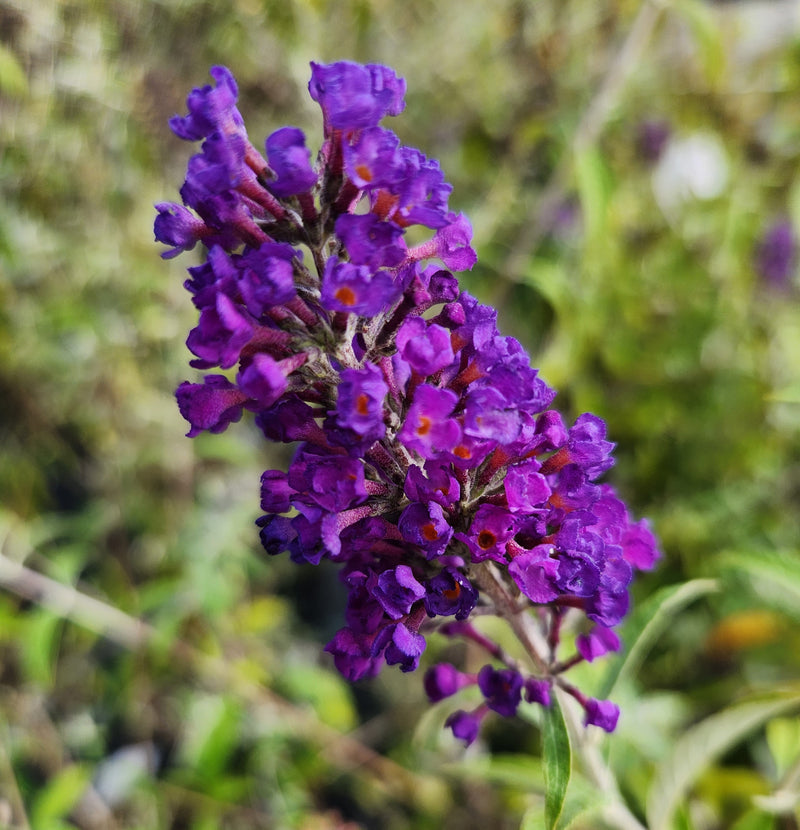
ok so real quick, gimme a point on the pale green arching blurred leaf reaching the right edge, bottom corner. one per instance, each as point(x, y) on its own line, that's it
point(701, 745)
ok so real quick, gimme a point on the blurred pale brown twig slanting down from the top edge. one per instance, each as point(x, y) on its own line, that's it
point(539, 219)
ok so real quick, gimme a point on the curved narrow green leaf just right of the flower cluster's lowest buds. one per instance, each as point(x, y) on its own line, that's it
point(647, 624)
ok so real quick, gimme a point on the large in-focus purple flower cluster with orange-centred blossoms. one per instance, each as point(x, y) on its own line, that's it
point(430, 465)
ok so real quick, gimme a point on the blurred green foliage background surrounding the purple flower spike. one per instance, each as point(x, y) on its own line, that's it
point(625, 166)
